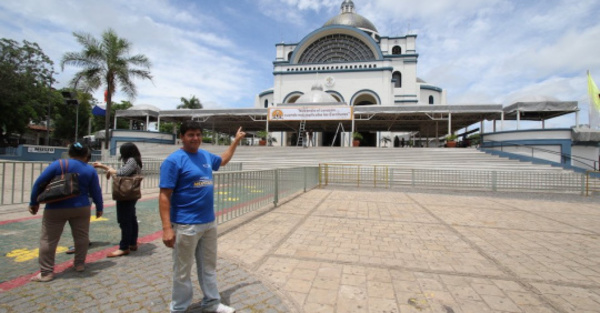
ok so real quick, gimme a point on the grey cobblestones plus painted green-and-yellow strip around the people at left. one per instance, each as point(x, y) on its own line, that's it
point(140, 282)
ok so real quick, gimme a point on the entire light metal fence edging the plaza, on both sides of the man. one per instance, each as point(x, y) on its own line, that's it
point(237, 191)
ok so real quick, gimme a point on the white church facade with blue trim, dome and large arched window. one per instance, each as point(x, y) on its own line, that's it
point(352, 63)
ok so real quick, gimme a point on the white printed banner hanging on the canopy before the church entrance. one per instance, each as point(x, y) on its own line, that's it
point(310, 113)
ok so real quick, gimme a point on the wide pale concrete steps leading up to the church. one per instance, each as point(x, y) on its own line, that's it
point(260, 157)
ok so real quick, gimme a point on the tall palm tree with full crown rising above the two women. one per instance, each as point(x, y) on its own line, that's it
point(107, 63)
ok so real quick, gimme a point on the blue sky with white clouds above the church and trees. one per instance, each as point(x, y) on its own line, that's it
point(479, 51)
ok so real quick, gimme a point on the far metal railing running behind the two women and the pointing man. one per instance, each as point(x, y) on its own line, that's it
point(17, 178)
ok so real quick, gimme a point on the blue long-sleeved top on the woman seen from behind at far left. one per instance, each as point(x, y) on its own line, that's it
point(89, 185)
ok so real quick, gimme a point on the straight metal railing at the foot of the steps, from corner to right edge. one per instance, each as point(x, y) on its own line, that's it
point(382, 176)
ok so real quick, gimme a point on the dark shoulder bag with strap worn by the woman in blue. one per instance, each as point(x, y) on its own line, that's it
point(61, 187)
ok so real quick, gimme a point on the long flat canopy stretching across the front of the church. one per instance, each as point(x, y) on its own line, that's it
point(427, 120)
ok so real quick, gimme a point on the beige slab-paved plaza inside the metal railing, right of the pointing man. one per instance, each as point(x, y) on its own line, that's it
point(357, 250)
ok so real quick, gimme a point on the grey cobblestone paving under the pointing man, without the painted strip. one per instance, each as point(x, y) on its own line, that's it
point(140, 282)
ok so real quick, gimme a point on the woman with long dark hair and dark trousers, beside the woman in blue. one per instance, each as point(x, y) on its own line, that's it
point(126, 216)
